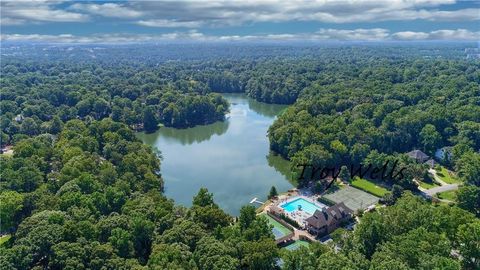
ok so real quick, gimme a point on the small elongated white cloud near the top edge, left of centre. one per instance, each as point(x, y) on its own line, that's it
point(108, 10)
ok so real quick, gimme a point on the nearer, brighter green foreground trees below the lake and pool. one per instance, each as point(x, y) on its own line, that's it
point(91, 198)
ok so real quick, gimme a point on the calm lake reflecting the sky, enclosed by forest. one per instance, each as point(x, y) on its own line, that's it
point(230, 158)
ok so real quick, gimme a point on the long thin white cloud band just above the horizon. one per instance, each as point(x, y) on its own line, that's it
point(375, 34)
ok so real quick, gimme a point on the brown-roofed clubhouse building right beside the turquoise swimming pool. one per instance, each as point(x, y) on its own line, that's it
point(328, 219)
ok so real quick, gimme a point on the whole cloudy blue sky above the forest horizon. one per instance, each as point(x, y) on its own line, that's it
point(239, 20)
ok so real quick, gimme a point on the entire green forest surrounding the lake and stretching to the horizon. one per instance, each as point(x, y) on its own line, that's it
point(81, 192)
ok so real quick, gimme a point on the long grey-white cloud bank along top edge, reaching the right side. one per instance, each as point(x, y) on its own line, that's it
point(238, 12)
